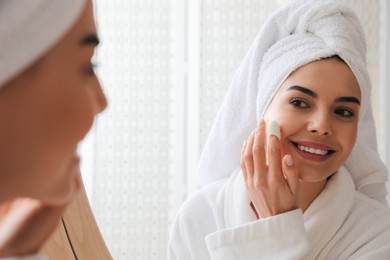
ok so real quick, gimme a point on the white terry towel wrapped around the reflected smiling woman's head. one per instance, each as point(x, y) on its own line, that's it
point(297, 34)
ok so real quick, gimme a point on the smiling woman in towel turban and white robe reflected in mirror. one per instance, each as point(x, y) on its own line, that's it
point(317, 191)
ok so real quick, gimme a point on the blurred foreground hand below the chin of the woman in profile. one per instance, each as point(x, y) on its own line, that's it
point(25, 224)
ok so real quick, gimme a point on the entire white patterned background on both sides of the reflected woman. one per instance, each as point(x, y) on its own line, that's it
point(165, 66)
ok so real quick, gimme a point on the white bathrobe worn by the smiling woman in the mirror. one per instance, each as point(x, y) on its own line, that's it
point(217, 222)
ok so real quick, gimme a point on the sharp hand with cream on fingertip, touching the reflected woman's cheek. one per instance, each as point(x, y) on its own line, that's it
point(273, 189)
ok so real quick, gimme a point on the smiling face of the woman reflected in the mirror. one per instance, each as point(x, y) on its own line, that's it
point(317, 108)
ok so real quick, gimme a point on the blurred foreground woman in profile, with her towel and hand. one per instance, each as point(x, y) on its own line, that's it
point(49, 96)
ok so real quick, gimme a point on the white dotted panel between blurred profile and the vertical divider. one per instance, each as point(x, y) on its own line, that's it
point(132, 139)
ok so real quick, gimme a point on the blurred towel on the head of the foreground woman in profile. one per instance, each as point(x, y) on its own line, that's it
point(29, 28)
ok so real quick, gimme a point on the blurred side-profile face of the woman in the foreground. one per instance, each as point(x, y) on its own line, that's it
point(45, 112)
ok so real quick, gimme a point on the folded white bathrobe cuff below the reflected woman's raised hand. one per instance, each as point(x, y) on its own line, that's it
point(279, 237)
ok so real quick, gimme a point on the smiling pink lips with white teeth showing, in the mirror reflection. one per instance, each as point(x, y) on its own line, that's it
point(313, 151)
